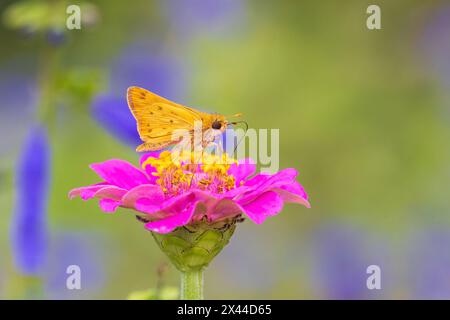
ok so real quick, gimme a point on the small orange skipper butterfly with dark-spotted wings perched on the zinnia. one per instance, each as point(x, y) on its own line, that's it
point(158, 118)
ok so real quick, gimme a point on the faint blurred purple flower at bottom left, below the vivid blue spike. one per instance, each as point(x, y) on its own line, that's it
point(80, 249)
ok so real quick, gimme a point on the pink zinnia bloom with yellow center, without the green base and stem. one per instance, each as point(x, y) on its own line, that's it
point(170, 193)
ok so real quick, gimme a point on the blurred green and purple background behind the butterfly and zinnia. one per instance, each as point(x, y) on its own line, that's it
point(363, 115)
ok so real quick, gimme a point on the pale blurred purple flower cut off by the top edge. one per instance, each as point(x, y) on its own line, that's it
point(194, 17)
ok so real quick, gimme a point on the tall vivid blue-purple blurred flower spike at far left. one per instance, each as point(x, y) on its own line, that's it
point(29, 225)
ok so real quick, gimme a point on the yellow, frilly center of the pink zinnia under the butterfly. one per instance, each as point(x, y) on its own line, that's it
point(178, 172)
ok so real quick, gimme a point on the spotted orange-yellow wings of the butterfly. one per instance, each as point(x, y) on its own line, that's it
point(158, 117)
